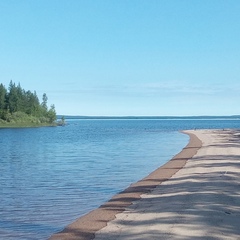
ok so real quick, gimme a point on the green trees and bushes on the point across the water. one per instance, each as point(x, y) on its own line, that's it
point(18, 105)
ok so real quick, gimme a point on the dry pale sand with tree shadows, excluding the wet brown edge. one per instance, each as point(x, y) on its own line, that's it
point(200, 201)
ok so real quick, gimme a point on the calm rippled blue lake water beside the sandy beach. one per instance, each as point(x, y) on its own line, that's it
point(51, 176)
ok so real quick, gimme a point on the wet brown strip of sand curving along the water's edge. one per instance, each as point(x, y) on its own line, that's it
point(85, 227)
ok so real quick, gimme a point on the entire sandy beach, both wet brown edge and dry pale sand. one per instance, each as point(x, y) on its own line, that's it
point(193, 196)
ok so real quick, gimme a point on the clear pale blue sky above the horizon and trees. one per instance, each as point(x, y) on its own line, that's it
point(125, 57)
